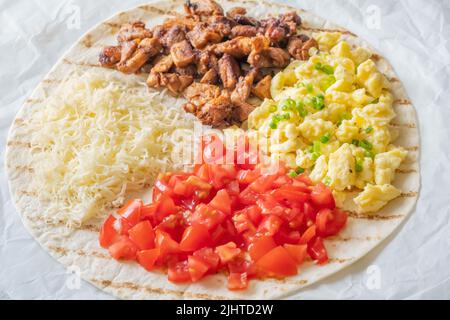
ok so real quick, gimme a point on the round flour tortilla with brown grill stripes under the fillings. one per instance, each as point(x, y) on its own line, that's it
point(79, 247)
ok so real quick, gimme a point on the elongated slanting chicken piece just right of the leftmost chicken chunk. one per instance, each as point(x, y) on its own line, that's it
point(149, 47)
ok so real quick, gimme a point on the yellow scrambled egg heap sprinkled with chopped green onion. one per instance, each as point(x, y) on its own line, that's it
point(330, 116)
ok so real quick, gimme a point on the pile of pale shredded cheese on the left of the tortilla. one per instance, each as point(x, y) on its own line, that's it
point(100, 137)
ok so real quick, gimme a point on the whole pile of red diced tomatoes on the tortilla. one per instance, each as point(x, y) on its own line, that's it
point(251, 220)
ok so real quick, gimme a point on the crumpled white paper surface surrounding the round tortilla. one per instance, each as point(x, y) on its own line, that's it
point(413, 35)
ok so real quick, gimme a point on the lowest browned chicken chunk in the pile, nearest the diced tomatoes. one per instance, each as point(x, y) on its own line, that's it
point(217, 111)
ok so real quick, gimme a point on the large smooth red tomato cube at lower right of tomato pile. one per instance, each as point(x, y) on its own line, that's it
point(277, 263)
